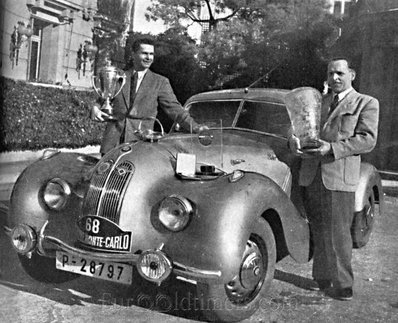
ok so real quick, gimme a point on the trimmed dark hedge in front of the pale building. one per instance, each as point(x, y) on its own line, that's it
point(37, 117)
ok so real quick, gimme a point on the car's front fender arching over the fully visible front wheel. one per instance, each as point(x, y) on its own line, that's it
point(217, 235)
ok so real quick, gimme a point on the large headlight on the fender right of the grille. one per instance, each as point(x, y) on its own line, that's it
point(175, 212)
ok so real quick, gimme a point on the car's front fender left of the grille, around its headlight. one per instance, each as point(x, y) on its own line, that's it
point(26, 201)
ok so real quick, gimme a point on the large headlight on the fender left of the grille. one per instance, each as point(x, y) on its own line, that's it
point(56, 193)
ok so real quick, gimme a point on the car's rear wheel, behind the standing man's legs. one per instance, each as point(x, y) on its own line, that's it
point(362, 225)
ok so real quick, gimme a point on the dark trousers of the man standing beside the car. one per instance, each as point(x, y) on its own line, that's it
point(330, 214)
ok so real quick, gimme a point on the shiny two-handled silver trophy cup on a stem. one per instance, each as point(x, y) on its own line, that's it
point(108, 84)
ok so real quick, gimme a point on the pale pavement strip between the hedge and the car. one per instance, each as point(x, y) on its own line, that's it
point(13, 163)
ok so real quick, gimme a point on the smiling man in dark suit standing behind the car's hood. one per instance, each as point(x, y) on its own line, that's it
point(139, 99)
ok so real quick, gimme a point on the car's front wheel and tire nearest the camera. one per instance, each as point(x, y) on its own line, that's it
point(241, 297)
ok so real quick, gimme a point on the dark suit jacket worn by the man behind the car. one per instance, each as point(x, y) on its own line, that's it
point(155, 90)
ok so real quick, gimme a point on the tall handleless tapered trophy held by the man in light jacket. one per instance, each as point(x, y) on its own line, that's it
point(304, 108)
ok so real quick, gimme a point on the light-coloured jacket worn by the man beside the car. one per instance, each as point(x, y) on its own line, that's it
point(352, 130)
